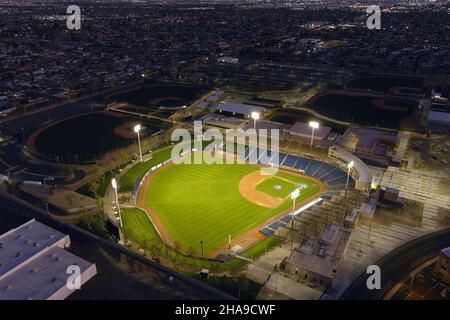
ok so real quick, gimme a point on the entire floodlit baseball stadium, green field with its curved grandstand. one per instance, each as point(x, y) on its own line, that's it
point(323, 182)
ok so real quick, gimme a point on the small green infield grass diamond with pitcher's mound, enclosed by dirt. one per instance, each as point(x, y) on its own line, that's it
point(282, 185)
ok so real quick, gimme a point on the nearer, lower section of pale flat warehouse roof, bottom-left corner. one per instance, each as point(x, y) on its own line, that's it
point(44, 277)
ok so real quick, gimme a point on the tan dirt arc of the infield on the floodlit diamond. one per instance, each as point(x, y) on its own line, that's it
point(247, 188)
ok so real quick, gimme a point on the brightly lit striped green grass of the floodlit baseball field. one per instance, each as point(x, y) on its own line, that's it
point(203, 202)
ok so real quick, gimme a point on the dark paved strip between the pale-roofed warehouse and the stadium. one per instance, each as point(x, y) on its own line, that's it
point(122, 274)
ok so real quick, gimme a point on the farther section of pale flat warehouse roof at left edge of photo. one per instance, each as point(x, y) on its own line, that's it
point(20, 244)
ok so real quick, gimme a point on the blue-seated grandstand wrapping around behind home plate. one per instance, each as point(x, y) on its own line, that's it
point(313, 218)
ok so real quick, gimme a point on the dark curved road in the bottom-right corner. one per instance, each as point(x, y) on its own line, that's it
point(398, 263)
